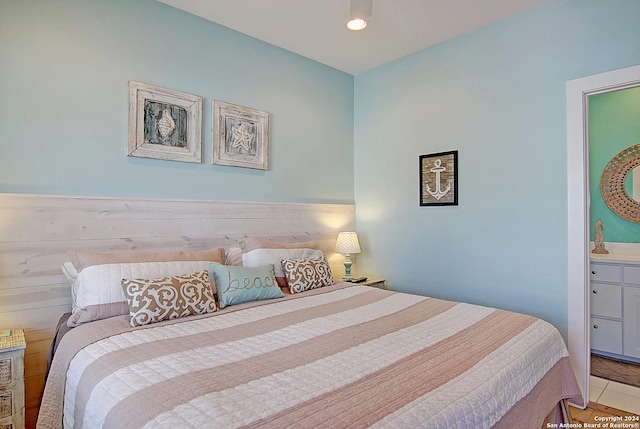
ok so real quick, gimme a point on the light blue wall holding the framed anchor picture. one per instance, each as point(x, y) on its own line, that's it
point(497, 95)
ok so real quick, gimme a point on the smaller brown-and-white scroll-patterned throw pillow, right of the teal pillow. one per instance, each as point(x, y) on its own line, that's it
point(306, 274)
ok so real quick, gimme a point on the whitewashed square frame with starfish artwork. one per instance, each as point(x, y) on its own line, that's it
point(240, 136)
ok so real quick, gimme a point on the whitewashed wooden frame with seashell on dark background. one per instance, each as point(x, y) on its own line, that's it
point(164, 124)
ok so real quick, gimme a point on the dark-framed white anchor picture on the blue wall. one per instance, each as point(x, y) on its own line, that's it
point(439, 179)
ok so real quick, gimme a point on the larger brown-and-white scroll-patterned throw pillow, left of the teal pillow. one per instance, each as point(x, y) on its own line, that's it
point(154, 300)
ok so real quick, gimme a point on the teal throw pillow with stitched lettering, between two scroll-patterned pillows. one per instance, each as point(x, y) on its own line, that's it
point(236, 285)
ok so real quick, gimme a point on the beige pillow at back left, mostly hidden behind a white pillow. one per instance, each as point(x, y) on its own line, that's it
point(82, 260)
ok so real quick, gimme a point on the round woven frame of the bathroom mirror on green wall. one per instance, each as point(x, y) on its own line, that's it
point(612, 184)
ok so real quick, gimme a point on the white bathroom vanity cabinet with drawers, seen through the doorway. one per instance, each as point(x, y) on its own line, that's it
point(615, 307)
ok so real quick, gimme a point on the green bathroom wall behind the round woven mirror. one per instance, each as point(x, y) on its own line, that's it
point(614, 124)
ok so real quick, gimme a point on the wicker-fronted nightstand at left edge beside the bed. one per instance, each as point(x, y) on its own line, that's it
point(12, 380)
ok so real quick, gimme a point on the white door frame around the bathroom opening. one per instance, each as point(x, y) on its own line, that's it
point(578, 92)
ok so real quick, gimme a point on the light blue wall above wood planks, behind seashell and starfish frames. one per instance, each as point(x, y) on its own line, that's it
point(64, 68)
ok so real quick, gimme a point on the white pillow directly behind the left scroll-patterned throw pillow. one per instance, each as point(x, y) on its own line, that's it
point(97, 292)
